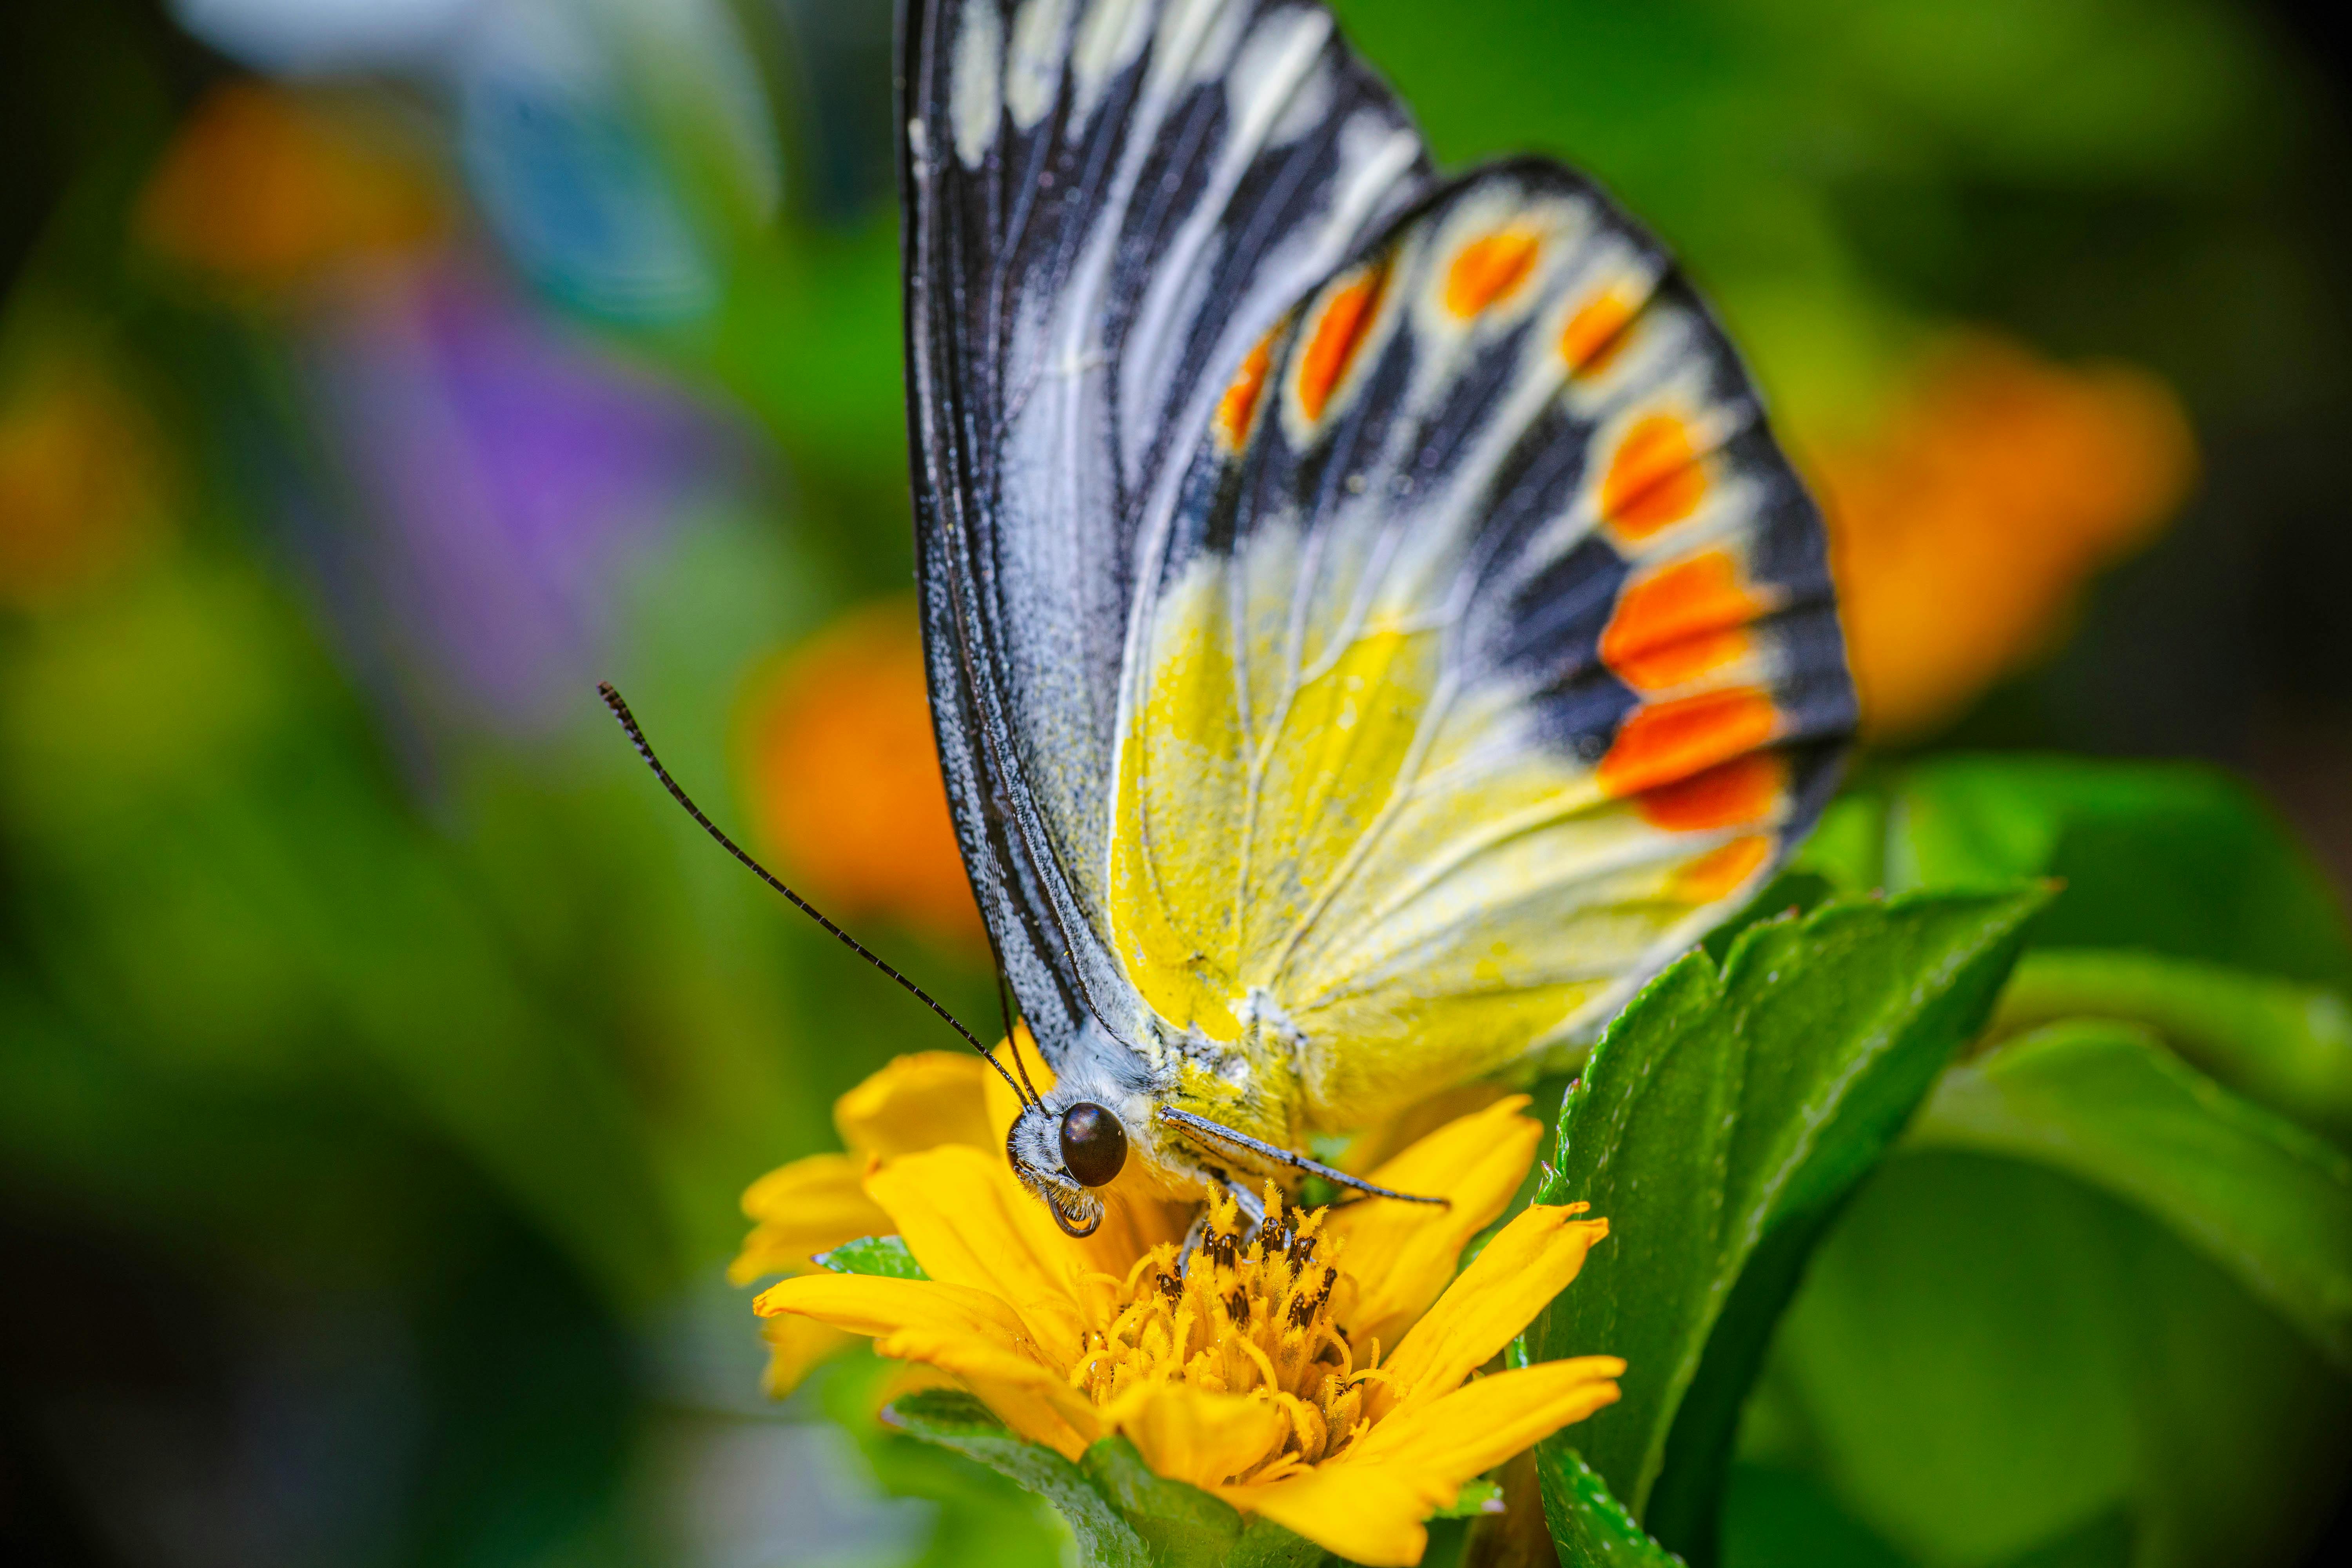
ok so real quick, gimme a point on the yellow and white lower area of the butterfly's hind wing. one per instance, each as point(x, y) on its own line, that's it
point(1339, 883)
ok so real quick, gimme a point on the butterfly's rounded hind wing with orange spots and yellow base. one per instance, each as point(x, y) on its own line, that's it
point(1490, 664)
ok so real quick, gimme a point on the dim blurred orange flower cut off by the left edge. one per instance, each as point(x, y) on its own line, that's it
point(83, 478)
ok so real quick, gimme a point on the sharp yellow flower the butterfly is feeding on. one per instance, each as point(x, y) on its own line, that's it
point(1318, 1374)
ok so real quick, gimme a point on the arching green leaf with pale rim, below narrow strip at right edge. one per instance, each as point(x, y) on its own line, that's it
point(2111, 1106)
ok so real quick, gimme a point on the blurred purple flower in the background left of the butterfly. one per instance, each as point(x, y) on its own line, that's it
point(502, 478)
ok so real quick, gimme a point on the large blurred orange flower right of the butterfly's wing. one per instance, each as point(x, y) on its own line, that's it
point(1967, 525)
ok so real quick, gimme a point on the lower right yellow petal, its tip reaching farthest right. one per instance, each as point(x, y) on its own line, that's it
point(1483, 1423)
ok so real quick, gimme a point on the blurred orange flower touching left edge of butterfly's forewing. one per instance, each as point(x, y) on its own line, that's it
point(846, 777)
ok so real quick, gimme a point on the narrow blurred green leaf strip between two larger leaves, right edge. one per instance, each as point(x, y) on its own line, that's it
point(2280, 1045)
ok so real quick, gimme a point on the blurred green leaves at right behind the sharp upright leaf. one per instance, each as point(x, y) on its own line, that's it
point(2132, 1170)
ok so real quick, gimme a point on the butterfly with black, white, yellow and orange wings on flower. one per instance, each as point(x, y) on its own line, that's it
point(1370, 624)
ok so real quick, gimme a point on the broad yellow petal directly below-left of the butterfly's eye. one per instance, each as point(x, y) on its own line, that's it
point(970, 1224)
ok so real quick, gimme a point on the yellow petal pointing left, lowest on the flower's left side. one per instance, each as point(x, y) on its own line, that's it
point(956, 1329)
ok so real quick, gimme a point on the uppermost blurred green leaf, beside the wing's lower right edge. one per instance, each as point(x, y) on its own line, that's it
point(2170, 859)
